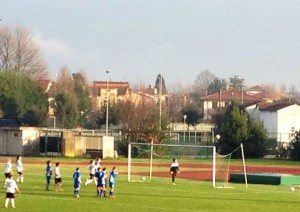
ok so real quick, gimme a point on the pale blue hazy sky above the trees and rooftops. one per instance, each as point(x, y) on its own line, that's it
point(258, 40)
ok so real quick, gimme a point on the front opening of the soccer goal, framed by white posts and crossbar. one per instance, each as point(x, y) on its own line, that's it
point(153, 160)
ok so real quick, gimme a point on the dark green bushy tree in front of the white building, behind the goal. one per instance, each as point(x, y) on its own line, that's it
point(235, 128)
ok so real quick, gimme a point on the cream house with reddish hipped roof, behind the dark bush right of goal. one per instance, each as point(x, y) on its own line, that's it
point(212, 102)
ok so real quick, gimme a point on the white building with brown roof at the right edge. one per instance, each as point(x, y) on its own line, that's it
point(280, 119)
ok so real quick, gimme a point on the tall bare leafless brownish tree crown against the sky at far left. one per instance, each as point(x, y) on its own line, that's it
point(19, 53)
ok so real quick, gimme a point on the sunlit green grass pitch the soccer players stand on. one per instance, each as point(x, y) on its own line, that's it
point(158, 195)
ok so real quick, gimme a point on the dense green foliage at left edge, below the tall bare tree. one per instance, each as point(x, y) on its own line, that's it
point(22, 99)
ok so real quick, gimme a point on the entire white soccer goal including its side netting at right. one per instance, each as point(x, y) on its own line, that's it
point(151, 162)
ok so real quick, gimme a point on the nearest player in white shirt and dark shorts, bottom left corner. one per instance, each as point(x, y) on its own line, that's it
point(11, 187)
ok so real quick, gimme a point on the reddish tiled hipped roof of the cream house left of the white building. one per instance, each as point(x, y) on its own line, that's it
point(230, 95)
